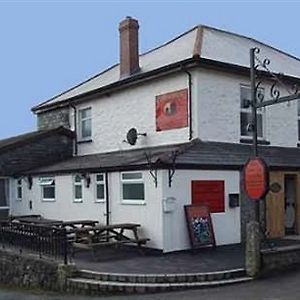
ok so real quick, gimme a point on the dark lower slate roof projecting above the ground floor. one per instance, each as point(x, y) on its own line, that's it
point(193, 155)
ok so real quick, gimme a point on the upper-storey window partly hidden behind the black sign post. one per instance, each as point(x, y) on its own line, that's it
point(246, 116)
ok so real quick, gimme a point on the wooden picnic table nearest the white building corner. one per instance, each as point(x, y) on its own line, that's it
point(106, 235)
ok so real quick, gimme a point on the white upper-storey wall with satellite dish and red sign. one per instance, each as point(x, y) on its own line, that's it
point(114, 114)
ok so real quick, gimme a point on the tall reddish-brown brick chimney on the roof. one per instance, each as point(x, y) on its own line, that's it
point(129, 47)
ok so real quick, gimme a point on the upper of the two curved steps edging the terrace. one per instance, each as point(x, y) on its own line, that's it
point(162, 278)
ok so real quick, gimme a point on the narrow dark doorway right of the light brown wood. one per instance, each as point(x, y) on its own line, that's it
point(290, 204)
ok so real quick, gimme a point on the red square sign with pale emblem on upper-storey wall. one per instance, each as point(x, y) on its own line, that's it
point(172, 110)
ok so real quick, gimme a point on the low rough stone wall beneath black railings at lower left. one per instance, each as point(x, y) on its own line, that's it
point(32, 272)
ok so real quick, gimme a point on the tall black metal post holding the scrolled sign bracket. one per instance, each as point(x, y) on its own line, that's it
point(254, 116)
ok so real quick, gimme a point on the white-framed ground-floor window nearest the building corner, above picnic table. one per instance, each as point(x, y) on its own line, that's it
point(133, 190)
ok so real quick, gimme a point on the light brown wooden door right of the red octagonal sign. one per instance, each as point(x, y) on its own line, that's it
point(275, 210)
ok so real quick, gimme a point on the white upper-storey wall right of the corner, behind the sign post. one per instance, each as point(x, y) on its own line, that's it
point(218, 110)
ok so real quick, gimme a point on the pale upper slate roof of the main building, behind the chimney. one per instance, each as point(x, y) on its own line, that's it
point(203, 42)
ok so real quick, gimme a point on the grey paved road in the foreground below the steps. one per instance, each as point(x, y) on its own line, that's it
point(279, 287)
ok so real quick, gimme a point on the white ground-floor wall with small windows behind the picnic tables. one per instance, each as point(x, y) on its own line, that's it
point(149, 214)
